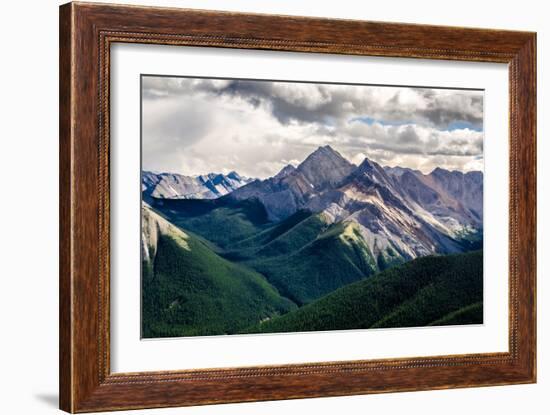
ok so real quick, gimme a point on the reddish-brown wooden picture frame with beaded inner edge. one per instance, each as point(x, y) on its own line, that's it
point(86, 33)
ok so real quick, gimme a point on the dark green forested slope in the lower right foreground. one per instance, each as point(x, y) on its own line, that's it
point(437, 290)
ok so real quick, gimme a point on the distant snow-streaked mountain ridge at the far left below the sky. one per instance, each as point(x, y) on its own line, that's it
point(177, 186)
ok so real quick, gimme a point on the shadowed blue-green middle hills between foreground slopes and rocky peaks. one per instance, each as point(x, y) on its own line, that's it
point(292, 254)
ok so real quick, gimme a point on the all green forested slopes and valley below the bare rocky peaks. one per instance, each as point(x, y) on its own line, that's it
point(234, 271)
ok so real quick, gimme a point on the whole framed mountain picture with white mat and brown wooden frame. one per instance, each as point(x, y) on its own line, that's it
point(258, 207)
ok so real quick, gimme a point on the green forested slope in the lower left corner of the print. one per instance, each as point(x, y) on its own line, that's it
point(190, 290)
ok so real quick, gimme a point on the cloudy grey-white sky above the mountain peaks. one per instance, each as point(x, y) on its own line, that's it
point(194, 126)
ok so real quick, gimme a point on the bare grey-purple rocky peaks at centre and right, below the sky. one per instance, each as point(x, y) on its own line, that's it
point(400, 212)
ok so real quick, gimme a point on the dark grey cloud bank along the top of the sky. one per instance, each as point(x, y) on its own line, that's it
point(331, 104)
